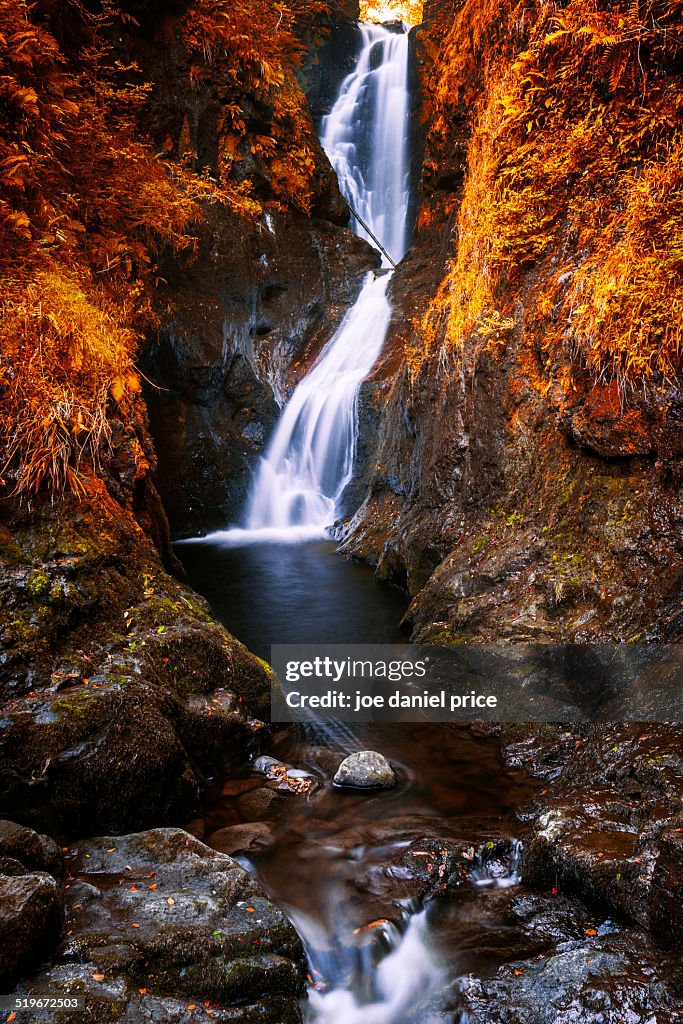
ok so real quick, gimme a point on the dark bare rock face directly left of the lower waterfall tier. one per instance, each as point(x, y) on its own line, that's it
point(253, 310)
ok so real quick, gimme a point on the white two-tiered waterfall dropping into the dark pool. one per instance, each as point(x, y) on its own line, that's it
point(310, 460)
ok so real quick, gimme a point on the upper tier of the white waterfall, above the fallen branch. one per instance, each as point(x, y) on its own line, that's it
point(366, 138)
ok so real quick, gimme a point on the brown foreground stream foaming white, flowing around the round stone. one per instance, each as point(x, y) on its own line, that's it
point(338, 863)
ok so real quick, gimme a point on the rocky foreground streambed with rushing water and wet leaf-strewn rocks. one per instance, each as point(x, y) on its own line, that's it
point(508, 875)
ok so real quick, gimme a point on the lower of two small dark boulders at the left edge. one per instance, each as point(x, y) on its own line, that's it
point(31, 920)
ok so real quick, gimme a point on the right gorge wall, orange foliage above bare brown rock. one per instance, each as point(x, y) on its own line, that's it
point(525, 484)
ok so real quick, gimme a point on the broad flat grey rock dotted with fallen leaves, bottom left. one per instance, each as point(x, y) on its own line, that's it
point(157, 922)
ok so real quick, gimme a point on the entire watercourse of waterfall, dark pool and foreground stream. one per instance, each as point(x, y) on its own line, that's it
point(401, 897)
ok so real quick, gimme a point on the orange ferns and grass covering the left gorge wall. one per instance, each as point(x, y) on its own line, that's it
point(88, 207)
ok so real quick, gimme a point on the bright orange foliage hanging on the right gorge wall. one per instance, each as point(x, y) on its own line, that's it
point(575, 180)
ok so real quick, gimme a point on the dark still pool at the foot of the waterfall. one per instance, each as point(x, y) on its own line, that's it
point(292, 593)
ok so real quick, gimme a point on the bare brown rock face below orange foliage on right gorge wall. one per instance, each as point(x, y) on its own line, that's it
point(507, 507)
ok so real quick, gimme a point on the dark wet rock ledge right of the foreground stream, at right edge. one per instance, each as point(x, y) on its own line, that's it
point(610, 822)
